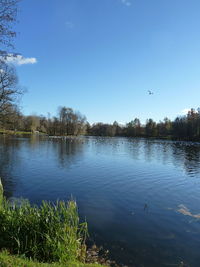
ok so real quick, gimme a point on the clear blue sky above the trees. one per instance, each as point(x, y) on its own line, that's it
point(102, 56)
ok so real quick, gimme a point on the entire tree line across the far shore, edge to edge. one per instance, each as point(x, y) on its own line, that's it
point(70, 122)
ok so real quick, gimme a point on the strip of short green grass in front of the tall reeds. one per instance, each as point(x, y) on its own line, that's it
point(7, 260)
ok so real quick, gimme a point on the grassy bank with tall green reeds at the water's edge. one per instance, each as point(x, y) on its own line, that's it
point(50, 233)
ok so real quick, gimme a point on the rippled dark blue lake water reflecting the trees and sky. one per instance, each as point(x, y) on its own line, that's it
point(140, 197)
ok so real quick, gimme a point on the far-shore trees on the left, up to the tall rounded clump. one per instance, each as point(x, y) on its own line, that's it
point(68, 122)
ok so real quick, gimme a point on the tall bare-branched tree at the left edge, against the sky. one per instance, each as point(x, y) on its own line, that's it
point(9, 89)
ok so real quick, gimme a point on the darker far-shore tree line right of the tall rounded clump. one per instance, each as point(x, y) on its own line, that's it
point(185, 127)
